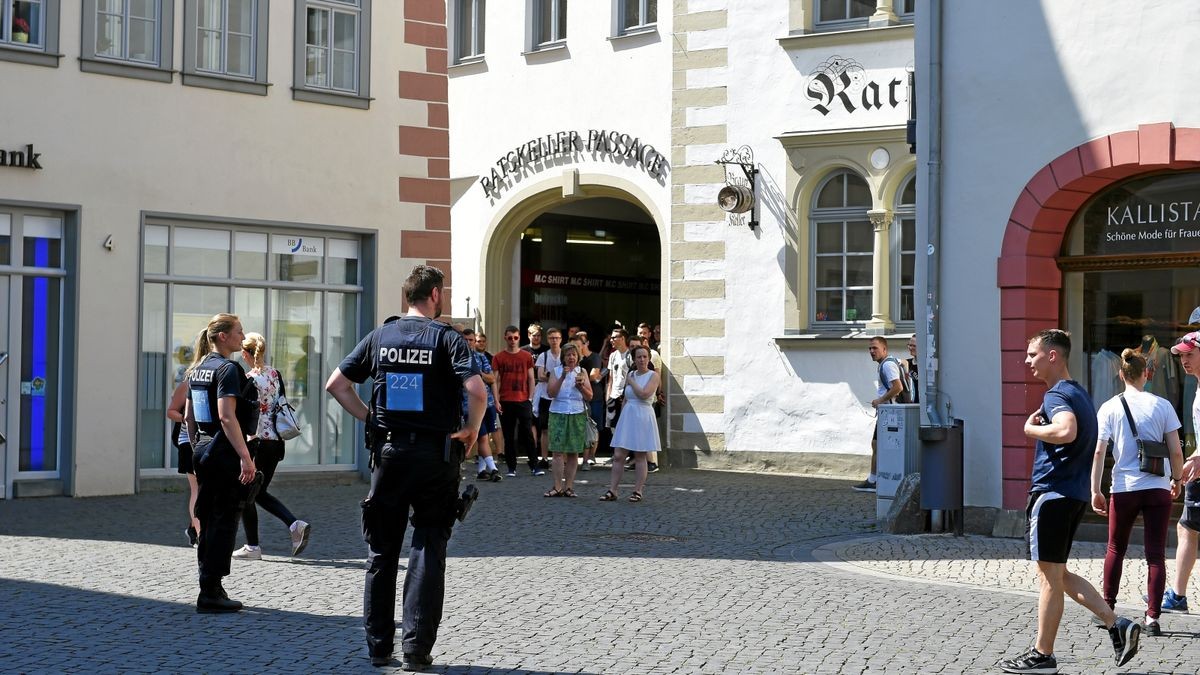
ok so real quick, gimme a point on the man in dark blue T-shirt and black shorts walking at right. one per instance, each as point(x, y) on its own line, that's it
point(1065, 431)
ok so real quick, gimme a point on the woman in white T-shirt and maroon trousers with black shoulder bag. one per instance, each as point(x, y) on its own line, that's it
point(1136, 492)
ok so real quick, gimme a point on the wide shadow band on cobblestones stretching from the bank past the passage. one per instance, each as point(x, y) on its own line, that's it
point(687, 515)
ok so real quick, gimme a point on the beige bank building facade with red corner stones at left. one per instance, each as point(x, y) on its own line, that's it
point(166, 162)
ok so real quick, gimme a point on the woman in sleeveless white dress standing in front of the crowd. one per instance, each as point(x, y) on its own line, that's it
point(638, 432)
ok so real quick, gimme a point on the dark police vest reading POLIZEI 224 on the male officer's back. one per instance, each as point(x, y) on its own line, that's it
point(416, 387)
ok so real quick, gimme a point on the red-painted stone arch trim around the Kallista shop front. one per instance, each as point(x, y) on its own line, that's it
point(1029, 278)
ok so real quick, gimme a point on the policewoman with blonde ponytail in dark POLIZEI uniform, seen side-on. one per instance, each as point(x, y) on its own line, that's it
point(219, 416)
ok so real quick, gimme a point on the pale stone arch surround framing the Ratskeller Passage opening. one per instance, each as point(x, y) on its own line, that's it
point(503, 235)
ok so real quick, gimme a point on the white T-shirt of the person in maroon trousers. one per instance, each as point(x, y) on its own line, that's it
point(1155, 419)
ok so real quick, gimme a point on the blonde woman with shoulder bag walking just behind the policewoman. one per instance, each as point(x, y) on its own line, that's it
point(267, 449)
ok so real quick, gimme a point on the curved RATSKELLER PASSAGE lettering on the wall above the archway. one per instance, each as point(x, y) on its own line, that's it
point(613, 144)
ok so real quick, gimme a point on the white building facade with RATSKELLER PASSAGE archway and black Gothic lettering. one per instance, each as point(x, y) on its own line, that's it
point(765, 331)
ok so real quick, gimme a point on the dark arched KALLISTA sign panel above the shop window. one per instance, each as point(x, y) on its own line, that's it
point(1156, 214)
